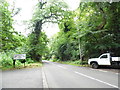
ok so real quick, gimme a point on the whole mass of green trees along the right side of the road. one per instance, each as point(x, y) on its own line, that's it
point(97, 26)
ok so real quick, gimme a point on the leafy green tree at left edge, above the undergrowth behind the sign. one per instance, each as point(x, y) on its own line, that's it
point(10, 39)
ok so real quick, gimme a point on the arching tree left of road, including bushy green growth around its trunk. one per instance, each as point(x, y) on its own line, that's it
point(51, 11)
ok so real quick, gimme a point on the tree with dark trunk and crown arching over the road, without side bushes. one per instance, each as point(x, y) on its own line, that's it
point(51, 11)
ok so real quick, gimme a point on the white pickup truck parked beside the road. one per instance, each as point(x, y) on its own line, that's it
point(104, 59)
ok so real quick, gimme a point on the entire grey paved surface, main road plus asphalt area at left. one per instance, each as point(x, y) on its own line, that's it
point(56, 75)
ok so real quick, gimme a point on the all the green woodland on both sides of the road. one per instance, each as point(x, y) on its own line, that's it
point(90, 30)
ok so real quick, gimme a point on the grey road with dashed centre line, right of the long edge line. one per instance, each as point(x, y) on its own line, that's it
point(68, 76)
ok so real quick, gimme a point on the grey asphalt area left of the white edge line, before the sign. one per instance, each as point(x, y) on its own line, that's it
point(23, 78)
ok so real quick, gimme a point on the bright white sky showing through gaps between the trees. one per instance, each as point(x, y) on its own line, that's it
point(26, 12)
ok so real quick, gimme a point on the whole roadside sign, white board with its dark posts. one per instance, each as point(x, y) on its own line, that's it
point(18, 57)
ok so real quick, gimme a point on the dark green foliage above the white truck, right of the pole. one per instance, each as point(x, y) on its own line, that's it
point(96, 32)
